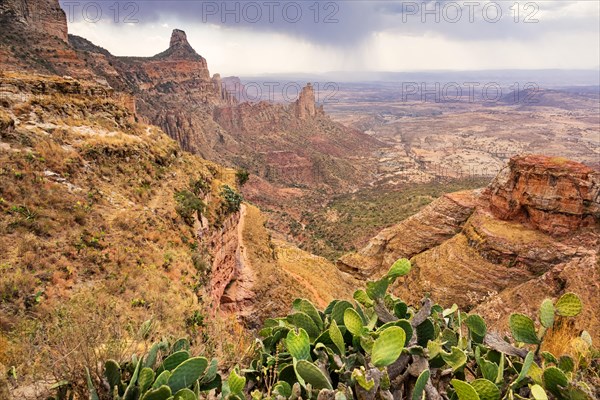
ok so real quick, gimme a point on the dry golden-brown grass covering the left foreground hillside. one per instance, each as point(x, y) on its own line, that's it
point(91, 243)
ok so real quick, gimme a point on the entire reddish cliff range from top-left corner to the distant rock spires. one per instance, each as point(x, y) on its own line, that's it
point(174, 90)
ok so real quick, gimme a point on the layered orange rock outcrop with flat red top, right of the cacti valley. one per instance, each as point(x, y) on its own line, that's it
point(533, 233)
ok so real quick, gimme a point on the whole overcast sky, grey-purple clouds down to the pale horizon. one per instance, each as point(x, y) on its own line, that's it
point(268, 36)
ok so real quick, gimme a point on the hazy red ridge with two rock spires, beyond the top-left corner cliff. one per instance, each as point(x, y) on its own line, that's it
point(294, 144)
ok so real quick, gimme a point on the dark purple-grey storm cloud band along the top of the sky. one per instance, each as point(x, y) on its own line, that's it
point(343, 23)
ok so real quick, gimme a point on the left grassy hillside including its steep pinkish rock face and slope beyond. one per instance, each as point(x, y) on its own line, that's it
point(107, 222)
